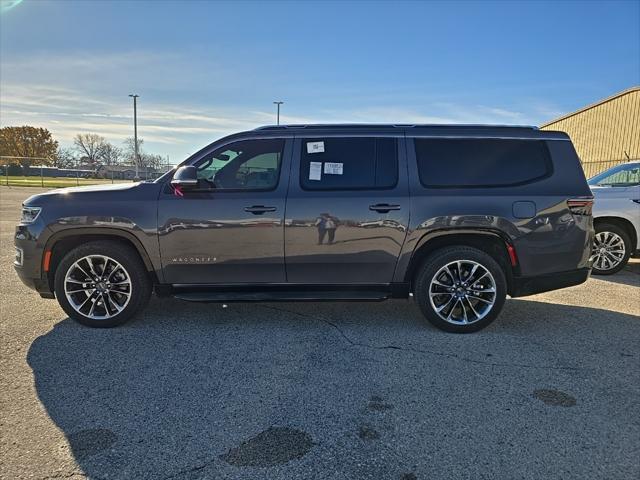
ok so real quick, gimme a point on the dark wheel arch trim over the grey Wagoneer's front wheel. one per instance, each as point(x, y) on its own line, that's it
point(60, 243)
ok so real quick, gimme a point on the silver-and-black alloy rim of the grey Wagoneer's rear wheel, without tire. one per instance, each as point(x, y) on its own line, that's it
point(462, 292)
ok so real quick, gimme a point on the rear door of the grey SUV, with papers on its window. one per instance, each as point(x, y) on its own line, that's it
point(347, 208)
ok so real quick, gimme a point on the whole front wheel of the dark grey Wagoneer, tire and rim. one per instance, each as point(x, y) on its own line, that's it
point(102, 284)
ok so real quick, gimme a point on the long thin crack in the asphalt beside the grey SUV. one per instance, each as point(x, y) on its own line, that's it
point(419, 350)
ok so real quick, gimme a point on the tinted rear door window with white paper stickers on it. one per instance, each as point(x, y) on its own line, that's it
point(348, 163)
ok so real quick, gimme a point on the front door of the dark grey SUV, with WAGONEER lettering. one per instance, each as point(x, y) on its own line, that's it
point(231, 229)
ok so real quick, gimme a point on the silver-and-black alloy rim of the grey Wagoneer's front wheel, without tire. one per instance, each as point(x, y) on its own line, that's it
point(97, 287)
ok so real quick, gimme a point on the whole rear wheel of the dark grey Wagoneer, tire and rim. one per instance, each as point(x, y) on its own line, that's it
point(460, 289)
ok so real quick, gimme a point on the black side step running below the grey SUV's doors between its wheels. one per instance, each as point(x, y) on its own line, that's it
point(284, 296)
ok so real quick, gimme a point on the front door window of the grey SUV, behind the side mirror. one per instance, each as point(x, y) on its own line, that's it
point(243, 165)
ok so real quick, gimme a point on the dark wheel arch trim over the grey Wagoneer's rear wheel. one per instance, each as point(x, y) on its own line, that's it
point(489, 241)
